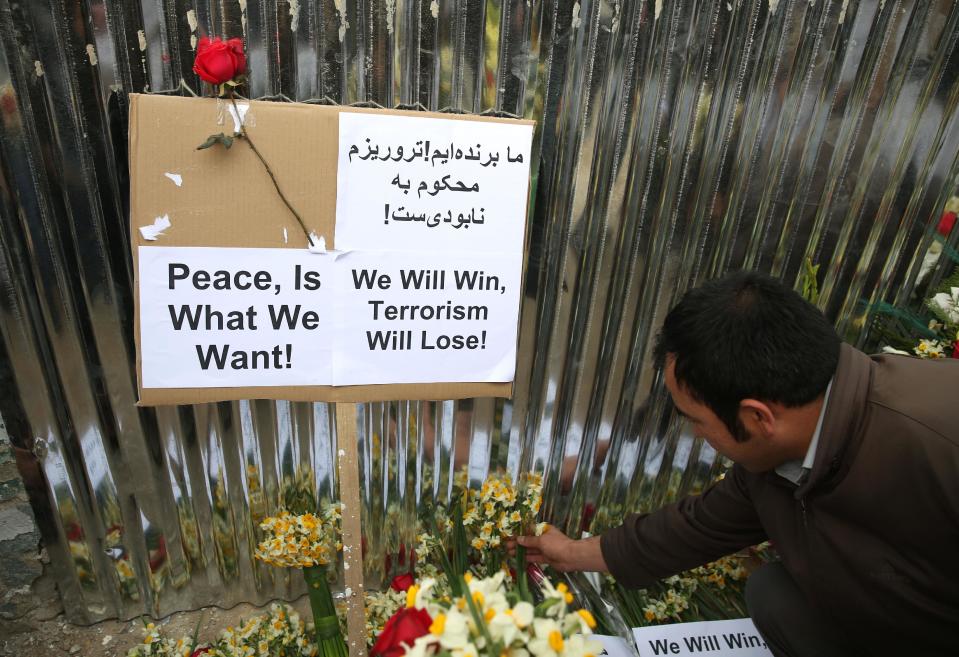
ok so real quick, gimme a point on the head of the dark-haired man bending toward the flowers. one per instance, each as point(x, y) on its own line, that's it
point(747, 360)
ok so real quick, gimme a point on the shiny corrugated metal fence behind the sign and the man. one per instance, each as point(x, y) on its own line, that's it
point(676, 140)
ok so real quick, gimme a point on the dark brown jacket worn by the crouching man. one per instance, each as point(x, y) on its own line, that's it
point(871, 536)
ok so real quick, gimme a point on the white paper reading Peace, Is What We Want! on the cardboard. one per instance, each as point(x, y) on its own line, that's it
point(212, 317)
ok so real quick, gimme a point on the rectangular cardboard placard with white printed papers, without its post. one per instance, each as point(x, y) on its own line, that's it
point(417, 298)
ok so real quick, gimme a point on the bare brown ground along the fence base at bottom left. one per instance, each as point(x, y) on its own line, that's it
point(57, 638)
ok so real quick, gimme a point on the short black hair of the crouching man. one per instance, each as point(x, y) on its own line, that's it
point(748, 336)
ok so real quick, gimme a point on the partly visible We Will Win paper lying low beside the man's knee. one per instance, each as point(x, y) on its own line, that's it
point(727, 638)
